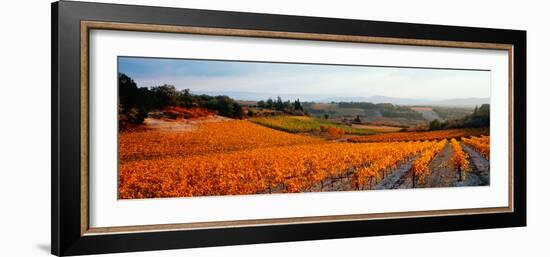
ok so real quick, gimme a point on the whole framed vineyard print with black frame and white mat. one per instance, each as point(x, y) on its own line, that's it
point(178, 128)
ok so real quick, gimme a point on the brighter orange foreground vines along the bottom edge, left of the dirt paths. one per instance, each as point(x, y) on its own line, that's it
point(294, 168)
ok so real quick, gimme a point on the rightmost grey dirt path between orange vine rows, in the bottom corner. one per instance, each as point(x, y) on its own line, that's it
point(478, 172)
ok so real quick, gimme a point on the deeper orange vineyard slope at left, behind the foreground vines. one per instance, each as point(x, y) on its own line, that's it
point(213, 137)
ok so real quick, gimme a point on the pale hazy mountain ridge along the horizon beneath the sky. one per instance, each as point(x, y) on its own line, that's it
point(253, 96)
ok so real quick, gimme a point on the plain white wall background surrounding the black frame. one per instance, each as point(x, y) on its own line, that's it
point(25, 127)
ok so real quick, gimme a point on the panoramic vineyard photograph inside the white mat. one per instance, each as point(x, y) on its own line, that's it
point(190, 127)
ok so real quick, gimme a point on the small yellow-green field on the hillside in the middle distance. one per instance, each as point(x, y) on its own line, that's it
point(298, 124)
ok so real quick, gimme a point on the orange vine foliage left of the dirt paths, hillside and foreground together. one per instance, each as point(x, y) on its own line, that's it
point(239, 157)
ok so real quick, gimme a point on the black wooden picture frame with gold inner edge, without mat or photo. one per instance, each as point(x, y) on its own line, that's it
point(71, 25)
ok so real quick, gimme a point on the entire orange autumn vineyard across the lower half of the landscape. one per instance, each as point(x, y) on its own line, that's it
point(237, 157)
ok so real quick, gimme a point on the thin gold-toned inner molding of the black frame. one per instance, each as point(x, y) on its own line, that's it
point(87, 26)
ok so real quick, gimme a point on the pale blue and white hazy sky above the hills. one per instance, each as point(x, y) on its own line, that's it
point(307, 79)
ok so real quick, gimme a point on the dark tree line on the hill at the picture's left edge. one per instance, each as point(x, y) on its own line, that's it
point(134, 103)
